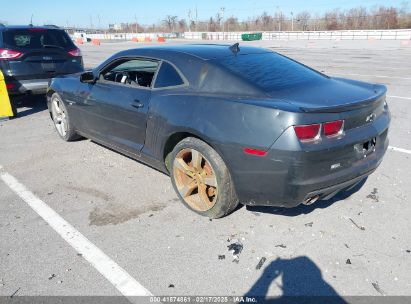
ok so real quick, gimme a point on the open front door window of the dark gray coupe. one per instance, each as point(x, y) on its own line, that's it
point(134, 72)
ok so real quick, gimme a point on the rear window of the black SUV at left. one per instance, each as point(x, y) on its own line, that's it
point(36, 38)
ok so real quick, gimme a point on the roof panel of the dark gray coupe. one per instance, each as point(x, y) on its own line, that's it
point(201, 51)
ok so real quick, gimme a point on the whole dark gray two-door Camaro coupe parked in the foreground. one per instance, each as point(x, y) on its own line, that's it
point(230, 124)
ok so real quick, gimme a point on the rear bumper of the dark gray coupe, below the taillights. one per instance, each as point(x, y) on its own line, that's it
point(288, 176)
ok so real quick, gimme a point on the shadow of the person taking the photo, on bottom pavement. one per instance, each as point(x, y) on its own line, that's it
point(302, 282)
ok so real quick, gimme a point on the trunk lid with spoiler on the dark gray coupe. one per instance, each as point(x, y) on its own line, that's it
point(331, 95)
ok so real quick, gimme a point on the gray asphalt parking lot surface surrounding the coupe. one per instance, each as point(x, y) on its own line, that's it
point(358, 244)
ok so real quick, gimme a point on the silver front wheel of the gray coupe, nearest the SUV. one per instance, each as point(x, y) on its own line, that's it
point(61, 119)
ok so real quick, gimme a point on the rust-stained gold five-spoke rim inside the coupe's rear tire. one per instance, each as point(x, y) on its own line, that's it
point(195, 179)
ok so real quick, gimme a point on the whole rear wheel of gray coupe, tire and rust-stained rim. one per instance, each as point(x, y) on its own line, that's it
point(201, 179)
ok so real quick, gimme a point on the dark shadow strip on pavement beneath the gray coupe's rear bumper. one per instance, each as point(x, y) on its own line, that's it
point(304, 209)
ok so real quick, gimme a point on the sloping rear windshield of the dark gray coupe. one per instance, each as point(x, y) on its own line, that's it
point(270, 71)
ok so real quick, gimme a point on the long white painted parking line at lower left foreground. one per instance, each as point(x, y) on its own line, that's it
point(116, 275)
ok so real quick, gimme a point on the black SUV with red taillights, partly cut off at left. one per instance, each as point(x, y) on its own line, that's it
point(31, 55)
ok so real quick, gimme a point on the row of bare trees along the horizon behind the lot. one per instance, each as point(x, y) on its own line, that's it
point(356, 18)
